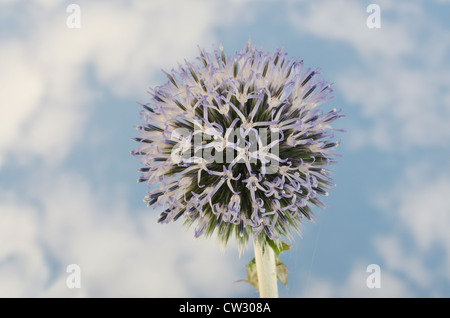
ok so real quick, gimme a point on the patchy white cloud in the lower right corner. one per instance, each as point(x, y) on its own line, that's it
point(414, 256)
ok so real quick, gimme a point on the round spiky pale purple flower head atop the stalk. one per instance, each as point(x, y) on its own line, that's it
point(237, 146)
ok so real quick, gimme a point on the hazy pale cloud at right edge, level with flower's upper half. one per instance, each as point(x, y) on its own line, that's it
point(408, 106)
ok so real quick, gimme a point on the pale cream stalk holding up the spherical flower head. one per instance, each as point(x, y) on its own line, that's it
point(266, 270)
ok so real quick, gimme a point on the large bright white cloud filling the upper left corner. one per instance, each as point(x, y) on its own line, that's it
point(52, 75)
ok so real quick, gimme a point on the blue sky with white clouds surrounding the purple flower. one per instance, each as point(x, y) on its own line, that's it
point(68, 192)
